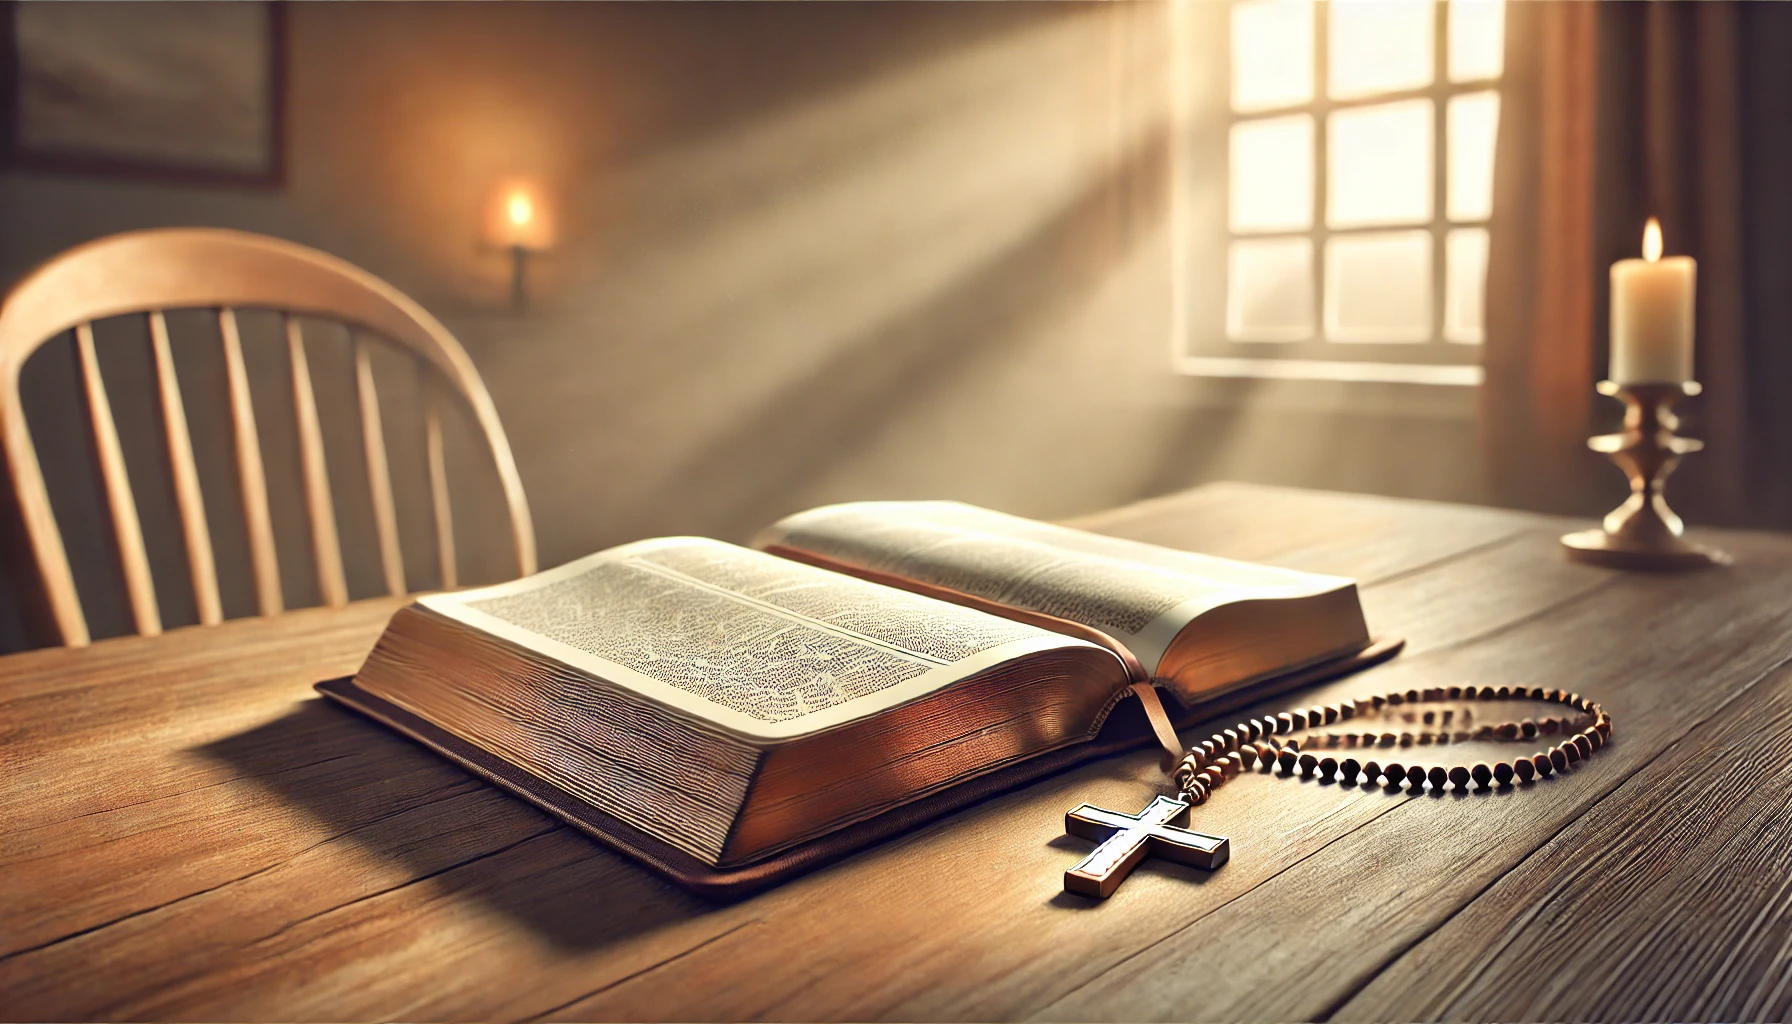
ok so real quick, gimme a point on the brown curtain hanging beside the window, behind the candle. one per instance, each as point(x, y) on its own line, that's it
point(1614, 114)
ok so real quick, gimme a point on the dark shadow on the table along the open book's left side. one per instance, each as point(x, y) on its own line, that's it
point(449, 829)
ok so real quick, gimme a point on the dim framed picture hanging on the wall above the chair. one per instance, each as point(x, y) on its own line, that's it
point(187, 92)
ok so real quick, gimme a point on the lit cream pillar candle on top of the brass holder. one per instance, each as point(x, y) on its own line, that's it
point(1651, 315)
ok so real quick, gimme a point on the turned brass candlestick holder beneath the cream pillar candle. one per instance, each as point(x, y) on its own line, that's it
point(1644, 532)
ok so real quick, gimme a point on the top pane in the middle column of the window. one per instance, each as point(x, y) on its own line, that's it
point(1381, 46)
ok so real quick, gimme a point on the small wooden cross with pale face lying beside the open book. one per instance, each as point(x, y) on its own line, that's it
point(1128, 838)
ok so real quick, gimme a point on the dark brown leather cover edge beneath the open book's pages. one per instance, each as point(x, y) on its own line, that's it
point(1126, 729)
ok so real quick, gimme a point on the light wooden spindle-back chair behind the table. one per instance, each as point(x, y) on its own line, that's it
point(144, 273)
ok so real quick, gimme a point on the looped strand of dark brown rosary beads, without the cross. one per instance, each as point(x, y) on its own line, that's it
point(1261, 745)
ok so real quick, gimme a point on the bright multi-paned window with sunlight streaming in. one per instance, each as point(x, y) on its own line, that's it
point(1356, 189)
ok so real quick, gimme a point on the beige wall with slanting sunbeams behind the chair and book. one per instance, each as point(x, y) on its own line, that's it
point(807, 254)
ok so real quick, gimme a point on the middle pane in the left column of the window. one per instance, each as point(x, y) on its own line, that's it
point(1273, 175)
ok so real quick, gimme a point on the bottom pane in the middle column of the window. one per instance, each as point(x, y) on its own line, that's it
point(1379, 288)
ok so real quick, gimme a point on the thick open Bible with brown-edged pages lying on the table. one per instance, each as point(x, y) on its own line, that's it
point(732, 715)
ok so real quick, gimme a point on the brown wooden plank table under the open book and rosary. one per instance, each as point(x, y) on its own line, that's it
point(193, 835)
